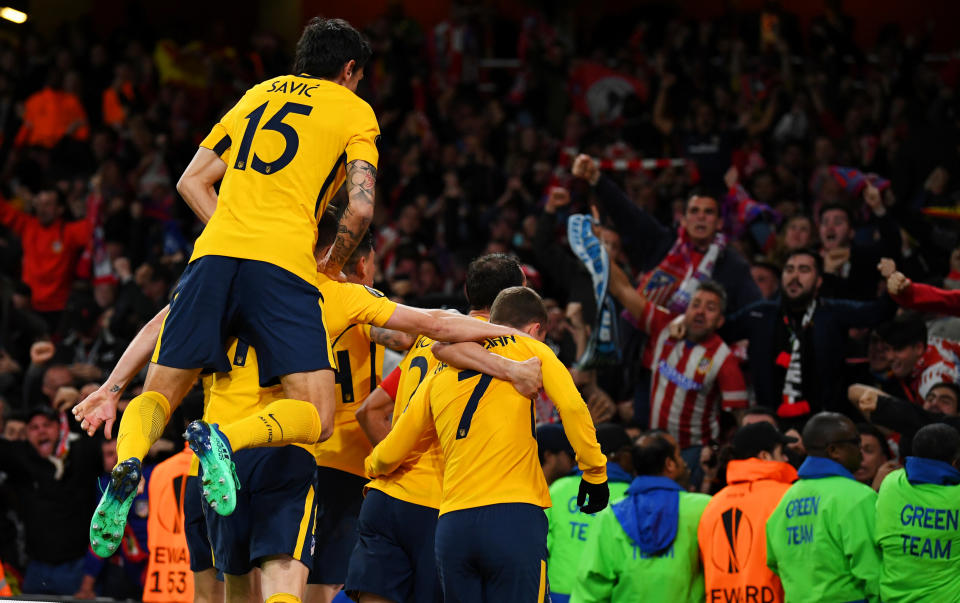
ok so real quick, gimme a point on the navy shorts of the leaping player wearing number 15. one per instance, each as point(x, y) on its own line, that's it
point(275, 310)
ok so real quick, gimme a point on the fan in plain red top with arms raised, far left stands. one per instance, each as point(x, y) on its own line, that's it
point(51, 247)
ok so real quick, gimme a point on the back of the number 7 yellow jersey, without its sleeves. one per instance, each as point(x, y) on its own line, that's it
point(487, 432)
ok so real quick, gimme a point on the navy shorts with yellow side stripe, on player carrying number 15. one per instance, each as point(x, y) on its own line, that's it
point(276, 508)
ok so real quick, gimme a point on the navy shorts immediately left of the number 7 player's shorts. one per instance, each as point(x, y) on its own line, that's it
point(394, 556)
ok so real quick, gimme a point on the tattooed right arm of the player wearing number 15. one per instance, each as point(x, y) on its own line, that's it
point(361, 182)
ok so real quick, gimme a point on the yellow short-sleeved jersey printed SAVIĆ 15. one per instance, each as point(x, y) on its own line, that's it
point(289, 140)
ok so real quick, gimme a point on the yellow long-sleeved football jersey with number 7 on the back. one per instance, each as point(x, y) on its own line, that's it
point(487, 431)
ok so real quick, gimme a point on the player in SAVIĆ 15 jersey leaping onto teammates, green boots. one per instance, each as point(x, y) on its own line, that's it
point(292, 140)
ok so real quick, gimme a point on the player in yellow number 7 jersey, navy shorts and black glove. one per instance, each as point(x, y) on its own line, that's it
point(491, 534)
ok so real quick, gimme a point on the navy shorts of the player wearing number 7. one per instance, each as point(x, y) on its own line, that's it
point(493, 553)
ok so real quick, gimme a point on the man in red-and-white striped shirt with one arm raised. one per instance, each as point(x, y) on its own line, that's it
point(693, 377)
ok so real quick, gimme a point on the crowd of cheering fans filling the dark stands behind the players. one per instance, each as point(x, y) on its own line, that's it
point(743, 282)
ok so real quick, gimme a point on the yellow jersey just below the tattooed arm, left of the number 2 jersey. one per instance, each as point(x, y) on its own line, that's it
point(349, 310)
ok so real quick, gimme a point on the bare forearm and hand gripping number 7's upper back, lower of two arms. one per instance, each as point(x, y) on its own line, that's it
point(525, 376)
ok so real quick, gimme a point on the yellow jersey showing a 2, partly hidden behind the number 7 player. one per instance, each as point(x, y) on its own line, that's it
point(419, 480)
